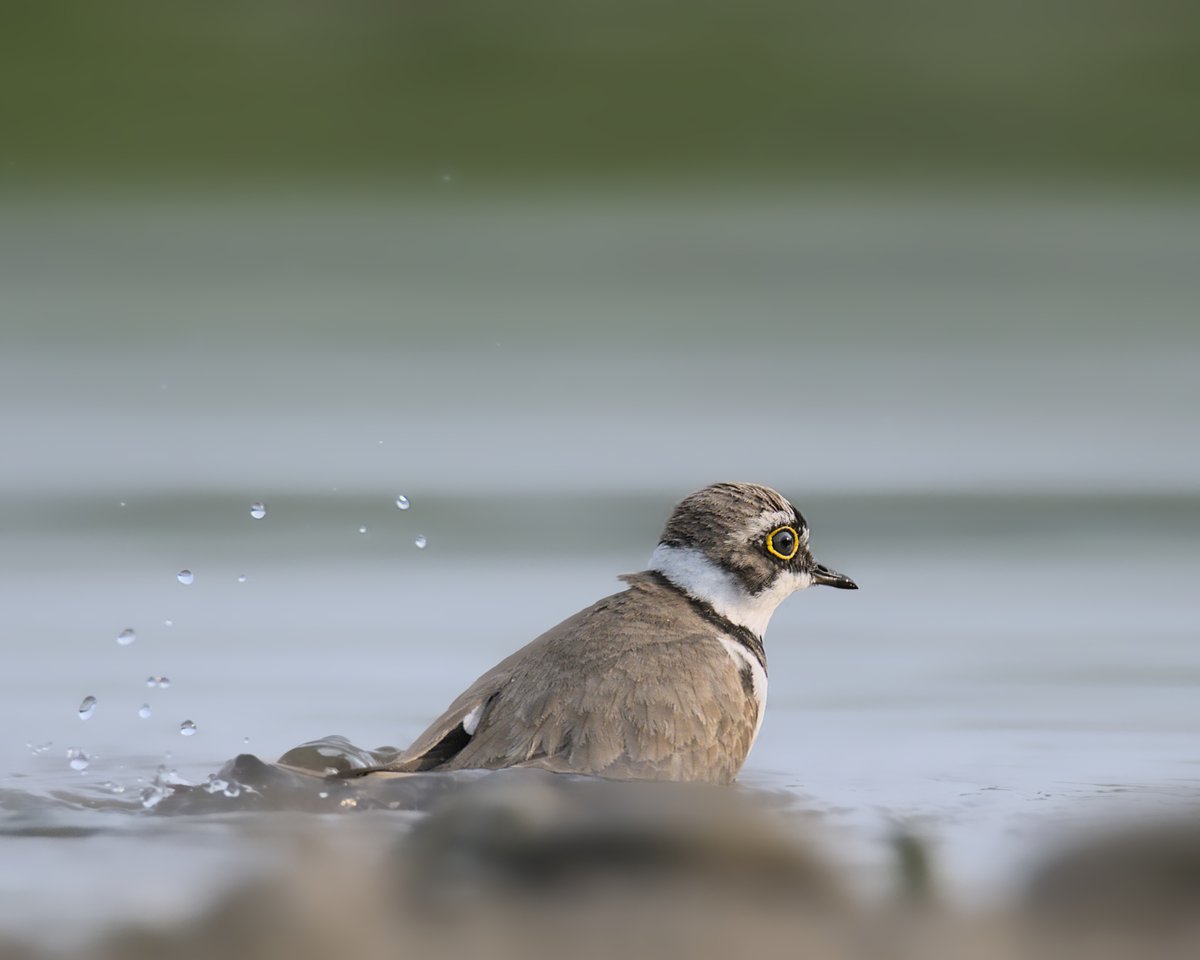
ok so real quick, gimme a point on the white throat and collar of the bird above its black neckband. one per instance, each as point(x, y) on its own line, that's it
point(698, 577)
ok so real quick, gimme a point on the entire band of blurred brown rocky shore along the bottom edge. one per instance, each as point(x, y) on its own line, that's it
point(527, 865)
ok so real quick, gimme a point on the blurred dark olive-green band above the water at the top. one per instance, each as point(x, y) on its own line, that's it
point(561, 89)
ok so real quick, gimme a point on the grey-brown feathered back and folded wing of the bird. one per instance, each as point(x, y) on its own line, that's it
point(637, 686)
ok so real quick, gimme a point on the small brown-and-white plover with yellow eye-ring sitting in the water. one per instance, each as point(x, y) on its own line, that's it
point(664, 681)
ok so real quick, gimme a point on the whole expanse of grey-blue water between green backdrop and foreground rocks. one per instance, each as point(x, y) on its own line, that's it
point(1018, 502)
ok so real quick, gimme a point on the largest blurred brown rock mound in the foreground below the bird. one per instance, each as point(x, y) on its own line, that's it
point(530, 865)
